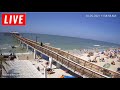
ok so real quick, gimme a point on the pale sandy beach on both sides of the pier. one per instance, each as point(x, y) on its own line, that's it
point(97, 56)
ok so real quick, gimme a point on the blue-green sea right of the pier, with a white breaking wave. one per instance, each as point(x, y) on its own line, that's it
point(70, 43)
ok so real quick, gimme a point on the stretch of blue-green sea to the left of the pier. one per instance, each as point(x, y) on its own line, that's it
point(6, 41)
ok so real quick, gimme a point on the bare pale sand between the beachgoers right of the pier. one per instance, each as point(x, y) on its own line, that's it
point(99, 63)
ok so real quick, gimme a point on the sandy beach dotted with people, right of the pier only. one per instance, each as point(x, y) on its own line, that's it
point(97, 56)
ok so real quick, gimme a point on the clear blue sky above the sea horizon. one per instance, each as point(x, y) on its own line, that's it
point(74, 24)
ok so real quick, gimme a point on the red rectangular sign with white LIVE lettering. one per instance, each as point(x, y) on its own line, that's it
point(13, 19)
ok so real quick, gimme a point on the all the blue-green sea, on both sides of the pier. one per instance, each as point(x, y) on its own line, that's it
point(63, 42)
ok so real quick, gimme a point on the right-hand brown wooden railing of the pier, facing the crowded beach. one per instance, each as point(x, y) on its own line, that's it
point(85, 63)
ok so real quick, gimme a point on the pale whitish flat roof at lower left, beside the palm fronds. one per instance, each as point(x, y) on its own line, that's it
point(21, 69)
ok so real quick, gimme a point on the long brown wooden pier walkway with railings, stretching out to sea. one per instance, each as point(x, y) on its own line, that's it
point(75, 63)
